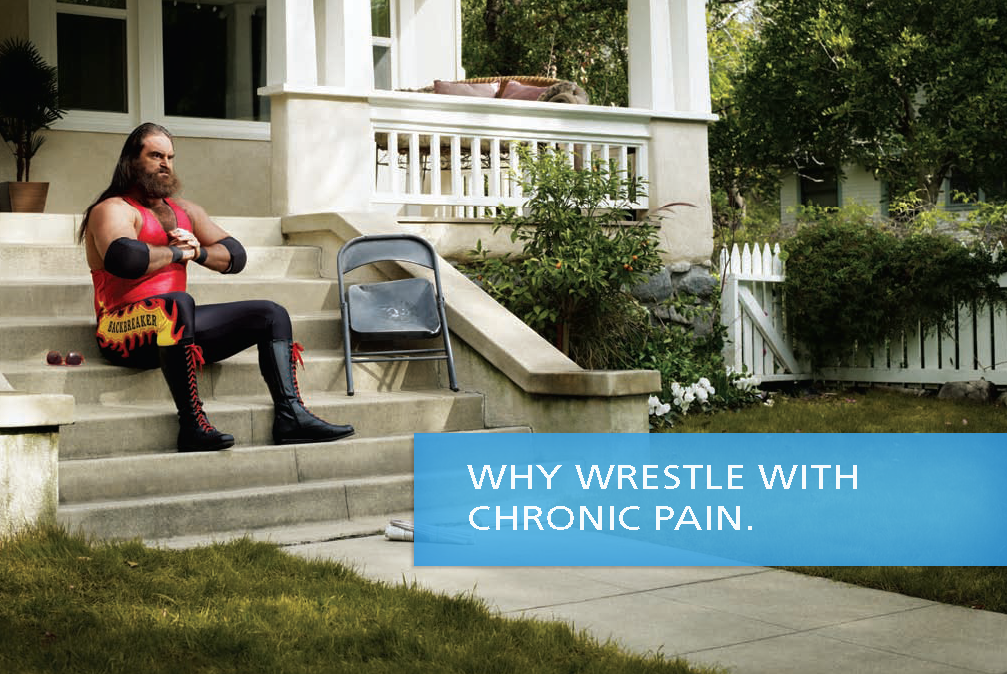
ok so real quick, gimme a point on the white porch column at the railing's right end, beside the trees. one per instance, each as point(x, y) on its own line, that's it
point(668, 56)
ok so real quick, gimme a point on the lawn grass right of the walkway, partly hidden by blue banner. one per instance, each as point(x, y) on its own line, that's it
point(880, 412)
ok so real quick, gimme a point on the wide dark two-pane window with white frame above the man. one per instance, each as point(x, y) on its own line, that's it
point(195, 66)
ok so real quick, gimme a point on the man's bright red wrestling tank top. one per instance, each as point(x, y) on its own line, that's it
point(112, 292)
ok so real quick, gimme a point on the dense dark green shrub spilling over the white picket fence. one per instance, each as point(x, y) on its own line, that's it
point(850, 283)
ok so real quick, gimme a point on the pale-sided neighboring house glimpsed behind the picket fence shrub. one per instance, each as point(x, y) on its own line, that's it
point(822, 187)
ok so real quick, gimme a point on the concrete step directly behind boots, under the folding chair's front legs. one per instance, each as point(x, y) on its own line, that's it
point(106, 431)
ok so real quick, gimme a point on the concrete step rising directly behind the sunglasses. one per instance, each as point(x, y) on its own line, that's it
point(29, 339)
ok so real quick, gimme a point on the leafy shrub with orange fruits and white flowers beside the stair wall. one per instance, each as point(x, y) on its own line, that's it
point(582, 251)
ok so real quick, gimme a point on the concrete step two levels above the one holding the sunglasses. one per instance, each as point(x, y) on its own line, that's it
point(75, 298)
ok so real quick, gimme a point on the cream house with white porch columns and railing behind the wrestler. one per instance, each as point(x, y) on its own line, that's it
point(284, 107)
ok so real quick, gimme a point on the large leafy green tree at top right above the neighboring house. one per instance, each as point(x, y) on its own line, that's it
point(909, 89)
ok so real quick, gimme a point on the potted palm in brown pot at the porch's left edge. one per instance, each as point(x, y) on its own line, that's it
point(30, 103)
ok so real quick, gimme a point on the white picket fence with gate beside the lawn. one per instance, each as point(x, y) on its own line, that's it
point(755, 313)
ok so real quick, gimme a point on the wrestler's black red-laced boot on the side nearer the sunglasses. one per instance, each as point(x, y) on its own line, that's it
point(196, 434)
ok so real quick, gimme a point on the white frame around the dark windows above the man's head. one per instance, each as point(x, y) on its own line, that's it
point(145, 76)
